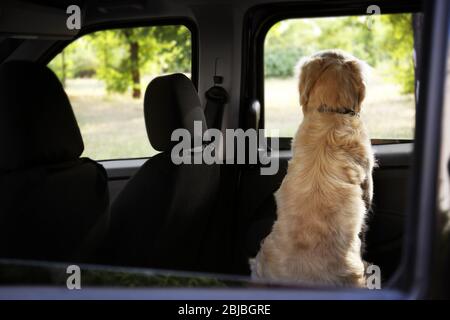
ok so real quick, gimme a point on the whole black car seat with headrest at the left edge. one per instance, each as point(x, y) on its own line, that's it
point(53, 204)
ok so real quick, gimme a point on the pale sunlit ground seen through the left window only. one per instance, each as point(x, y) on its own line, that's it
point(112, 126)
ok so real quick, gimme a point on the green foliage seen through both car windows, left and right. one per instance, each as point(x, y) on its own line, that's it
point(120, 57)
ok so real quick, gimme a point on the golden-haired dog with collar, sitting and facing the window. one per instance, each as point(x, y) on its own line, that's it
point(323, 200)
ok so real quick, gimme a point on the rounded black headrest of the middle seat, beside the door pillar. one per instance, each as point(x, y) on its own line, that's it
point(171, 102)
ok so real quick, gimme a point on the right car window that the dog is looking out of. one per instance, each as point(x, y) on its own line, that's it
point(385, 43)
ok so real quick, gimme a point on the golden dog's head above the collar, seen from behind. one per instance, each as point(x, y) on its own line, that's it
point(332, 78)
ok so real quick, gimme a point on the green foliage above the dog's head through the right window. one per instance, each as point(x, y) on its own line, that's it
point(388, 44)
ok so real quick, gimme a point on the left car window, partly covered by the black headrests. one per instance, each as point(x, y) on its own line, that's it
point(105, 74)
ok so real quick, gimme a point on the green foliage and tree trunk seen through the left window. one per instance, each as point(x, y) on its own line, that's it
point(119, 57)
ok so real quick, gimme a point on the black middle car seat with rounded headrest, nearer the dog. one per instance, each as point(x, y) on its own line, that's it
point(161, 217)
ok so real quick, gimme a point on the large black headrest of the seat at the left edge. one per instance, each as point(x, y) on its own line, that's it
point(37, 124)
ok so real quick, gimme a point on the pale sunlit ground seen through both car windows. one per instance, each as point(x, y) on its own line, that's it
point(113, 126)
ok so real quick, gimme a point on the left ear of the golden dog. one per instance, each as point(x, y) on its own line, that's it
point(310, 70)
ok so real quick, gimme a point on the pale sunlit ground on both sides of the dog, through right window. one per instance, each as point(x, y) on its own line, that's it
point(387, 113)
